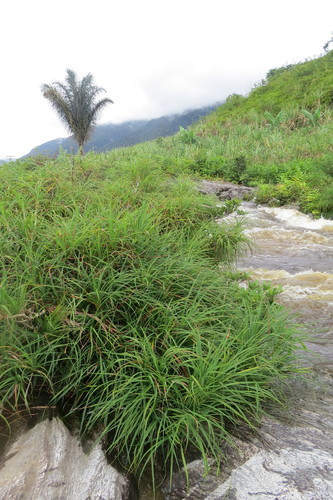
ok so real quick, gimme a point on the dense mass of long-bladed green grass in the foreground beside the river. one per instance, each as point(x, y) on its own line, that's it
point(118, 306)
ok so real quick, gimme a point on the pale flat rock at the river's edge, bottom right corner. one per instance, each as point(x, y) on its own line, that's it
point(281, 461)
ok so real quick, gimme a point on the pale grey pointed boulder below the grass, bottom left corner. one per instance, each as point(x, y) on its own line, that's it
point(48, 463)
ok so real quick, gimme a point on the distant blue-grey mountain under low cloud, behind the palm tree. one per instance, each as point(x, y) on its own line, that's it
point(110, 136)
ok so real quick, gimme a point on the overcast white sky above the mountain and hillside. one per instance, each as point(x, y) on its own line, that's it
point(153, 57)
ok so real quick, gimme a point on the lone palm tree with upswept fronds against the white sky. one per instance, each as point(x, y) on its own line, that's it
point(75, 103)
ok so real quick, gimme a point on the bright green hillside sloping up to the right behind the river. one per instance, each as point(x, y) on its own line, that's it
point(279, 139)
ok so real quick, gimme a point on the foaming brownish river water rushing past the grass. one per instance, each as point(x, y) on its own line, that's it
point(296, 252)
